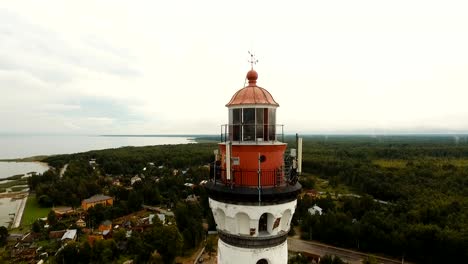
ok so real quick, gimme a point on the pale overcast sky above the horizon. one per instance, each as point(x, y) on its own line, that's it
point(158, 67)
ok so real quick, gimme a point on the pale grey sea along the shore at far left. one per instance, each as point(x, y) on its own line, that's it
point(22, 146)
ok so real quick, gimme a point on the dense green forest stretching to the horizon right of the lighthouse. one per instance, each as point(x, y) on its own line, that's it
point(413, 192)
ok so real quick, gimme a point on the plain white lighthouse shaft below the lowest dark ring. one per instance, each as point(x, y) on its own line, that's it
point(228, 254)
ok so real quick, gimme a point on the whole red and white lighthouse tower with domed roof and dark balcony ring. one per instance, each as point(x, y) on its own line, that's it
point(253, 190)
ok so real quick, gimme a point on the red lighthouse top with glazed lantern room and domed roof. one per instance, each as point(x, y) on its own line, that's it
point(251, 153)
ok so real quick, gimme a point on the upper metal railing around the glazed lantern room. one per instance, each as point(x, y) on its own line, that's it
point(251, 133)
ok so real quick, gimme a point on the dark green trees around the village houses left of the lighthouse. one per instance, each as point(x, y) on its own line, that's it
point(163, 171)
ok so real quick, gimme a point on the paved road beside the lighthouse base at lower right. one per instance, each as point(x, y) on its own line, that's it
point(350, 256)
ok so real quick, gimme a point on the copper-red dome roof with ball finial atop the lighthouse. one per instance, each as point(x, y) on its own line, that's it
point(252, 94)
